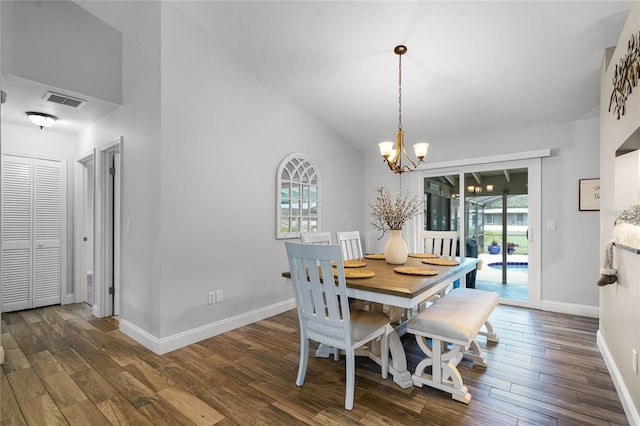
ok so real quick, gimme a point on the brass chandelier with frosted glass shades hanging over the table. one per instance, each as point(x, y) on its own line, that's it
point(393, 155)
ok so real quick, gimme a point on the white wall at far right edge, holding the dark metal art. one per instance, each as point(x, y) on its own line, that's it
point(620, 302)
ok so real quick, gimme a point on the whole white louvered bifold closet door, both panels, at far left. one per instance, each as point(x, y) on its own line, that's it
point(32, 229)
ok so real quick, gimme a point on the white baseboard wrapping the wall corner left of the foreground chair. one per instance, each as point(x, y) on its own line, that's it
point(177, 341)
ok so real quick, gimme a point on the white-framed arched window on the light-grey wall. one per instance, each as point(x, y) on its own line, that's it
point(298, 197)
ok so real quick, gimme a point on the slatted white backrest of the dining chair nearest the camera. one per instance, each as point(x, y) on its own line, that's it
point(321, 299)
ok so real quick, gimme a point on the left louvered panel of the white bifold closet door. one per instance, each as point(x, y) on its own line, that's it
point(17, 173)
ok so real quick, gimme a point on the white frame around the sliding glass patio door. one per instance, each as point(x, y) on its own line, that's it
point(532, 160)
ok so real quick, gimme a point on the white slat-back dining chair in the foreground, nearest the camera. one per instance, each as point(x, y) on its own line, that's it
point(324, 314)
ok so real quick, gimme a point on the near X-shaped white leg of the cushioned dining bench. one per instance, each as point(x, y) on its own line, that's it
point(445, 376)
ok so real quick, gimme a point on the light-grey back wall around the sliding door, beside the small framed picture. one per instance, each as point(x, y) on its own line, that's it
point(570, 259)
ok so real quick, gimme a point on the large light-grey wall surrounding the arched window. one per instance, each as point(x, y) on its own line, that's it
point(224, 132)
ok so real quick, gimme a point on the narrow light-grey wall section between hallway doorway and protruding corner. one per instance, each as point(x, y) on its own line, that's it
point(138, 121)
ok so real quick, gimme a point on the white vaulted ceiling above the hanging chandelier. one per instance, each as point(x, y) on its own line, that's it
point(470, 67)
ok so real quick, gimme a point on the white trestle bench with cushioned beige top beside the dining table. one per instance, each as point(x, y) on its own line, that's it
point(453, 323)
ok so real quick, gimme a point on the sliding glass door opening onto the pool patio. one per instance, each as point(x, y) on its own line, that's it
point(491, 208)
